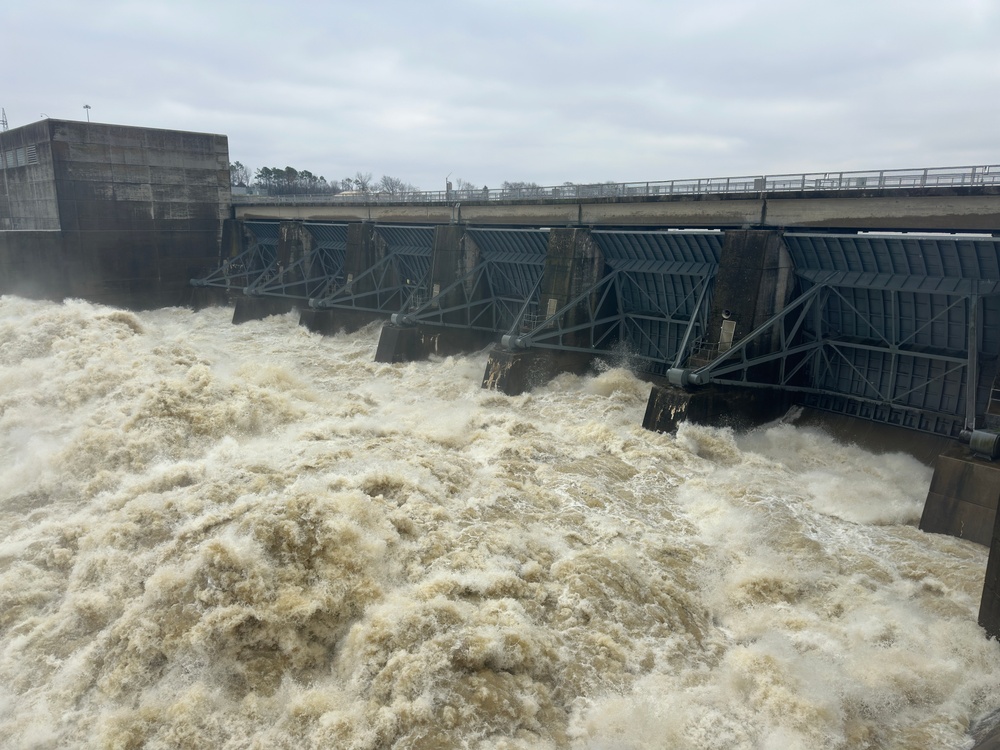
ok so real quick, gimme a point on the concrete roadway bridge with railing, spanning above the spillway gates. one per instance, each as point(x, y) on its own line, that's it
point(952, 199)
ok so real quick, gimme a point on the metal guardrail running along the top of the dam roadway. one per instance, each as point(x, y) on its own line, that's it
point(975, 176)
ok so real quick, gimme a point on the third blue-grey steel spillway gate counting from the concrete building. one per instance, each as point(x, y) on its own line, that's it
point(395, 273)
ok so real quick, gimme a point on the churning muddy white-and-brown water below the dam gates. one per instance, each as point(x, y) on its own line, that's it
point(217, 536)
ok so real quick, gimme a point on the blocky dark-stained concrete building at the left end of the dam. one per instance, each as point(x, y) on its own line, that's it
point(113, 214)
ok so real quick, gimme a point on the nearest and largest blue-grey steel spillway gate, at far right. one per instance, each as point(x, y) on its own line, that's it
point(895, 329)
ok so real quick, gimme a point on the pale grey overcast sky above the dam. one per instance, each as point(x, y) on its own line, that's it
point(544, 91)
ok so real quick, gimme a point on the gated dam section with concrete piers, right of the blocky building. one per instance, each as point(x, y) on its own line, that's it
point(883, 330)
